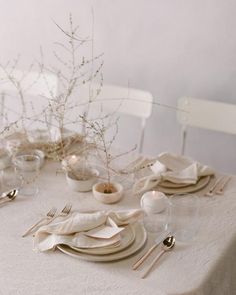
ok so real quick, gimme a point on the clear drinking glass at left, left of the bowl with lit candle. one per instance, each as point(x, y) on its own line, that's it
point(27, 169)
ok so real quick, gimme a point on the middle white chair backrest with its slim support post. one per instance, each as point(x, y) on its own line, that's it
point(124, 100)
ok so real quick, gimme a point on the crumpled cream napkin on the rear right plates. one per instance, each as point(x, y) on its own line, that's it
point(173, 168)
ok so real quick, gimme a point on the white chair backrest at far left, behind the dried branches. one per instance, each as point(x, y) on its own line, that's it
point(36, 87)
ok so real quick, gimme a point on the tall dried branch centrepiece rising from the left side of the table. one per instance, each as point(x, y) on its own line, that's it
point(68, 131)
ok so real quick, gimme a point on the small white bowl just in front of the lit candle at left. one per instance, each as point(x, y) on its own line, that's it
point(81, 185)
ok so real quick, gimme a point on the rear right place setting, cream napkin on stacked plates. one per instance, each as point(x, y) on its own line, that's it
point(175, 174)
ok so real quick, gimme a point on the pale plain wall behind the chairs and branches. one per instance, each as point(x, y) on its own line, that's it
point(169, 47)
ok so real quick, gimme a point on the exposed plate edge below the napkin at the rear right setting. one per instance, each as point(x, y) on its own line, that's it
point(186, 189)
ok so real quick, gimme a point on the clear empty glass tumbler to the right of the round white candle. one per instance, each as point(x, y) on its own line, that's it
point(184, 217)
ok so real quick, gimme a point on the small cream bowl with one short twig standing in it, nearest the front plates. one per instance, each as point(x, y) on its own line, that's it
point(108, 198)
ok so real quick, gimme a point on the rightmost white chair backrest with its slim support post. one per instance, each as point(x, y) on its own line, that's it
point(207, 114)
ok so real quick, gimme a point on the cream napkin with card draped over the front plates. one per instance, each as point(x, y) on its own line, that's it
point(85, 230)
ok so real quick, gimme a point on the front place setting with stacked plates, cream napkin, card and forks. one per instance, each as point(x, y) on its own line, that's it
point(98, 236)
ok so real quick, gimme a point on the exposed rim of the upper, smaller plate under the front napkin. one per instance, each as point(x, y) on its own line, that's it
point(127, 238)
